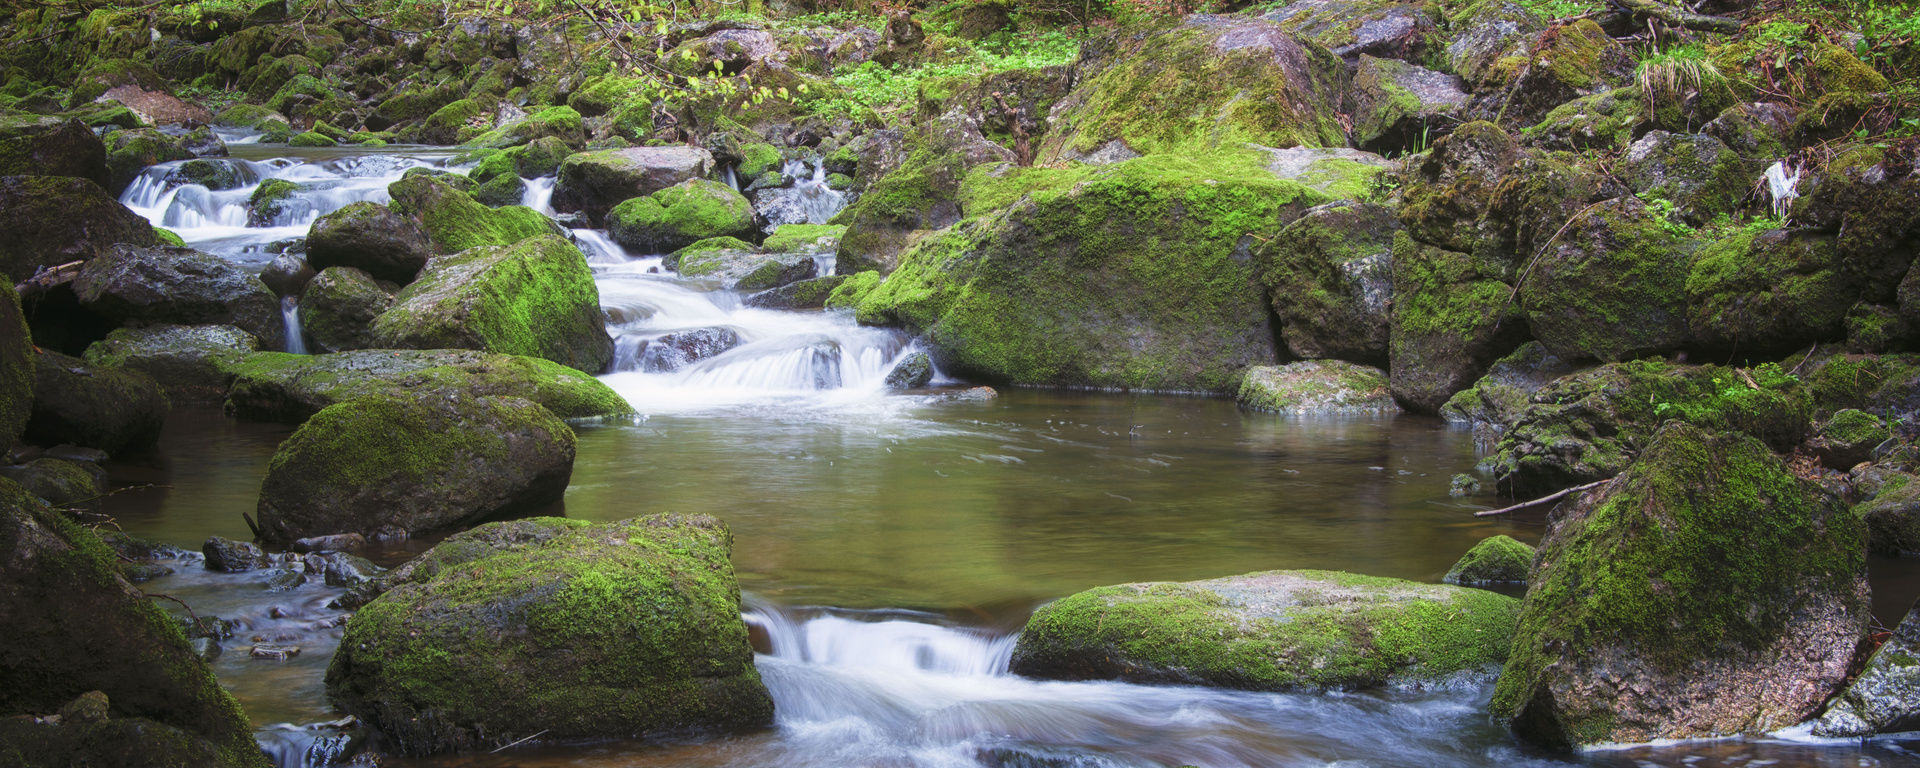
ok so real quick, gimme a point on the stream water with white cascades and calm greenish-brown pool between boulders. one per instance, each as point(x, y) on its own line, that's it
point(892, 544)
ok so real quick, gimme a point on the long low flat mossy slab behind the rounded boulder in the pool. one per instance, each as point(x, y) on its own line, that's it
point(289, 389)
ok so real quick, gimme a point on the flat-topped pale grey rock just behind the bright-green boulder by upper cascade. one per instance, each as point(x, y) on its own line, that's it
point(596, 181)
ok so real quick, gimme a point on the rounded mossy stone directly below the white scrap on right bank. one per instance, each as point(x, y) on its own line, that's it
point(1769, 293)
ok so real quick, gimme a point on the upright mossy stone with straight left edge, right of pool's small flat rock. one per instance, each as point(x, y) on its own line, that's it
point(1451, 322)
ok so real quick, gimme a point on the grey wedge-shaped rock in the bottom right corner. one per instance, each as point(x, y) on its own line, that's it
point(1886, 696)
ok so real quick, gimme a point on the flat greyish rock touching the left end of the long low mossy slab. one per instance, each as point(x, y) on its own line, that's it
point(191, 362)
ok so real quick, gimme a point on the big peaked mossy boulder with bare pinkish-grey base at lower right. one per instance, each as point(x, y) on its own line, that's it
point(1704, 592)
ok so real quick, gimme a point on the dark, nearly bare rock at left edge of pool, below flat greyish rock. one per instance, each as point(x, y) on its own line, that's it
point(112, 410)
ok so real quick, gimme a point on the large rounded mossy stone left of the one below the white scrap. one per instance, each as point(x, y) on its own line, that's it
point(1610, 287)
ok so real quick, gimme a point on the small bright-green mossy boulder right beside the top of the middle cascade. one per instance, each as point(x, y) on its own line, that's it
point(679, 216)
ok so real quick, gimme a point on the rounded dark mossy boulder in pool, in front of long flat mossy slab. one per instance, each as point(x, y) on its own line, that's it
point(395, 468)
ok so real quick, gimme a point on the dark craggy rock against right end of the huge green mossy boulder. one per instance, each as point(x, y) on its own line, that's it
point(1330, 281)
